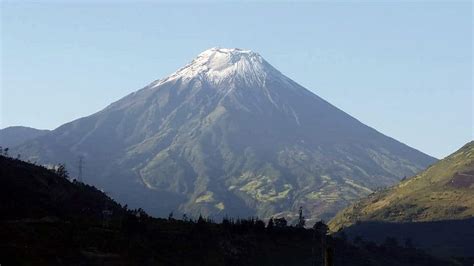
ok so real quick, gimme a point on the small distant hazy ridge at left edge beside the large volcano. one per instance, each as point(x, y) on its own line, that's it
point(13, 136)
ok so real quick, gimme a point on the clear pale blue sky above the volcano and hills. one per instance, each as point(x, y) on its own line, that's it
point(404, 68)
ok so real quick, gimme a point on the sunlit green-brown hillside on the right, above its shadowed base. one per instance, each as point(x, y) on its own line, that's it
point(444, 191)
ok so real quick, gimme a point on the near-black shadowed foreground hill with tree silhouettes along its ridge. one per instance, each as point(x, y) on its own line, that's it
point(48, 220)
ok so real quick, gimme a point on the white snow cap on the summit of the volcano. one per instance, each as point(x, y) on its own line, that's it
point(217, 65)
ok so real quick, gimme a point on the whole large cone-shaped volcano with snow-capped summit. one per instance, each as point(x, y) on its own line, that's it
point(229, 134)
